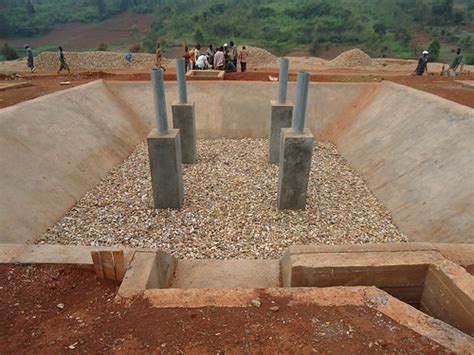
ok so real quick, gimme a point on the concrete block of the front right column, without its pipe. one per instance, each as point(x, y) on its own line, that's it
point(295, 163)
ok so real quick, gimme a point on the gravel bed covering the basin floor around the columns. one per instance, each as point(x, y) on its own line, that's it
point(229, 209)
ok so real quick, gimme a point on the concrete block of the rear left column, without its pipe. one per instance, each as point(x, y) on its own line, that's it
point(183, 119)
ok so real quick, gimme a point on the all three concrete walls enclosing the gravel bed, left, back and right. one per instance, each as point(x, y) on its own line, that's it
point(414, 149)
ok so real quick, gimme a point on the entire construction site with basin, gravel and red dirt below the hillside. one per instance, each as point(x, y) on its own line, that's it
point(304, 206)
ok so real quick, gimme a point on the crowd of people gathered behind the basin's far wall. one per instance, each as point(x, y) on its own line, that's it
point(225, 58)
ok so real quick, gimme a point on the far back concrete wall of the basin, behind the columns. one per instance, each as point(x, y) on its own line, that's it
point(242, 109)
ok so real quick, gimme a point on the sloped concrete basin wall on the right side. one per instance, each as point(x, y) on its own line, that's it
point(416, 151)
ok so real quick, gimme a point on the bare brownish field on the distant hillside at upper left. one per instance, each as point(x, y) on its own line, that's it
point(79, 37)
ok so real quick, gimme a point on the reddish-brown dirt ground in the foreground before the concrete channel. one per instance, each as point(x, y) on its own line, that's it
point(50, 309)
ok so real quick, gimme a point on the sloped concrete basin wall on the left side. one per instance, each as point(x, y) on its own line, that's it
point(53, 149)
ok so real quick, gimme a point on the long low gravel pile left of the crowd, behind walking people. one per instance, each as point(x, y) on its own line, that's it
point(97, 60)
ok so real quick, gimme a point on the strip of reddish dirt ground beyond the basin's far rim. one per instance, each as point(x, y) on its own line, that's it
point(45, 83)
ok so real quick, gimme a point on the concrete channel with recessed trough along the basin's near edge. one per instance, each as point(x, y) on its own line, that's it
point(422, 279)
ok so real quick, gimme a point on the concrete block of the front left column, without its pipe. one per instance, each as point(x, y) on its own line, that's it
point(164, 150)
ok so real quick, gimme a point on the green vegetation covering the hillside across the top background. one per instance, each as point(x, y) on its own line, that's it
point(380, 27)
